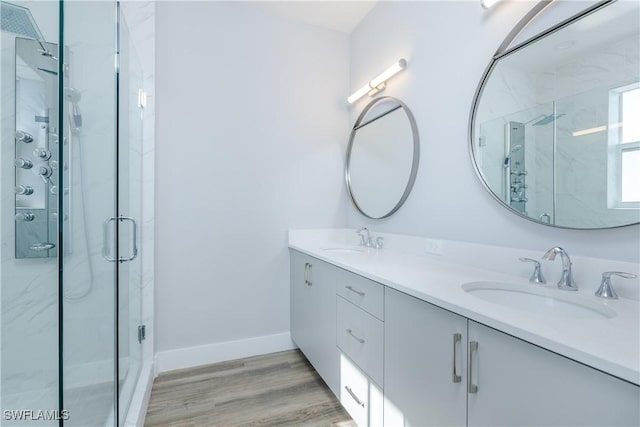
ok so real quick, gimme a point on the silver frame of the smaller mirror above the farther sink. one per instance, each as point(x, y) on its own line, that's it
point(416, 152)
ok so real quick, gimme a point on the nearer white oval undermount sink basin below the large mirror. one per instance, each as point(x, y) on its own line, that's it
point(542, 301)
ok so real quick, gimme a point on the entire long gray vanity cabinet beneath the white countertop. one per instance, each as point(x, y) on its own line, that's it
point(426, 366)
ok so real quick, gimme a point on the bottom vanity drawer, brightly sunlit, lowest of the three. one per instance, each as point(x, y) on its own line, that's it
point(360, 396)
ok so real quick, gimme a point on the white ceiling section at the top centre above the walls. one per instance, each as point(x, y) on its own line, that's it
point(336, 15)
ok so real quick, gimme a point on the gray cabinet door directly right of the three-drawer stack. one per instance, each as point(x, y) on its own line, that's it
point(419, 355)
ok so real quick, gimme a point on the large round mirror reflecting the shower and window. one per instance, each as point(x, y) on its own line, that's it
point(555, 124)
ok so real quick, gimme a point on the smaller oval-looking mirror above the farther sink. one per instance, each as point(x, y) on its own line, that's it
point(382, 157)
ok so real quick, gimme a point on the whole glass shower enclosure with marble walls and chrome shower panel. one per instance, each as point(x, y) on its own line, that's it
point(71, 191)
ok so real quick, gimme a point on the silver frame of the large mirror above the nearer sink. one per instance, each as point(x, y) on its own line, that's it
point(503, 50)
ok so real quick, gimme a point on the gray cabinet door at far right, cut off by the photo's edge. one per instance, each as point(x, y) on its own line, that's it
point(520, 384)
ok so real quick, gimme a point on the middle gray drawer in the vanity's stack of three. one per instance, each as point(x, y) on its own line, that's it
point(360, 336)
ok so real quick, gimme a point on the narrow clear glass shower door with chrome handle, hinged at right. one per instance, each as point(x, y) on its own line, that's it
point(130, 332)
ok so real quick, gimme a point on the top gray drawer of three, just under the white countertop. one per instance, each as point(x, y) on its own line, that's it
point(362, 292)
